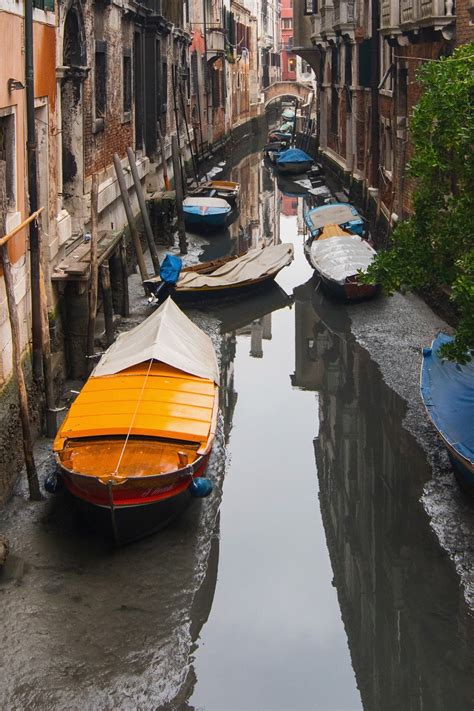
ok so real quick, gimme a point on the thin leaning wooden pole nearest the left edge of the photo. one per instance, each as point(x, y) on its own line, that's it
point(32, 475)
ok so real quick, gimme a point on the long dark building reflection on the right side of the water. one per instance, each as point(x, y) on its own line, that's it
point(407, 626)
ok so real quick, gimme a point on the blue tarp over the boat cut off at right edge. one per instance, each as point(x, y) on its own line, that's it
point(447, 389)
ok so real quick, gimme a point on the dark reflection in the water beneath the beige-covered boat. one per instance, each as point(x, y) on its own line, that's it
point(238, 314)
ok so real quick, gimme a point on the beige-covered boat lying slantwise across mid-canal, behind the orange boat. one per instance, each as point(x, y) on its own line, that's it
point(226, 277)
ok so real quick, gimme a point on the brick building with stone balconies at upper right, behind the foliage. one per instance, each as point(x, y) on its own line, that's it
point(365, 57)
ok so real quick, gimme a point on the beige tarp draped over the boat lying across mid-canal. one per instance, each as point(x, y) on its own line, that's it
point(253, 265)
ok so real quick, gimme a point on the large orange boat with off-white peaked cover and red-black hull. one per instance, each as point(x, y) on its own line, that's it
point(134, 446)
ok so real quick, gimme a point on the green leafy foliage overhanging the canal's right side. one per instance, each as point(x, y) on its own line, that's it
point(435, 246)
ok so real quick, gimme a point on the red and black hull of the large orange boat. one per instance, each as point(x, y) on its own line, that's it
point(131, 511)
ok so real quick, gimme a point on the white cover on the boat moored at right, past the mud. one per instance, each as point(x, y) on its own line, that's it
point(337, 258)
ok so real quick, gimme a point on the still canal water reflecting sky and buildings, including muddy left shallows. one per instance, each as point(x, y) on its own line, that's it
point(309, 580)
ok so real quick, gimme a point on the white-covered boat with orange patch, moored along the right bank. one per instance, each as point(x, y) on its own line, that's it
point(337, 257)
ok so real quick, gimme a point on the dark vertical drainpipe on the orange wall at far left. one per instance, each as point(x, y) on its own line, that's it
point(33, 193)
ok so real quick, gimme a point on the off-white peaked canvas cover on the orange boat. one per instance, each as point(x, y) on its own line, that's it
point(168, 336)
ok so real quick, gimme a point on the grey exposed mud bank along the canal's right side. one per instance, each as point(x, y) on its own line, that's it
point(394, 331)
